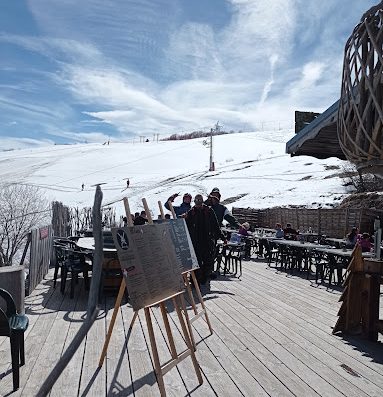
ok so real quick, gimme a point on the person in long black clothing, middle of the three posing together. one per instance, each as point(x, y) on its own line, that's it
point(204, 231)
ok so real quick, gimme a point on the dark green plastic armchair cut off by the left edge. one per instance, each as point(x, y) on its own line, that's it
point(13, 325)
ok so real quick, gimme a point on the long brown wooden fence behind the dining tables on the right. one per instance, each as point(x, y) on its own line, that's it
point(331, 222)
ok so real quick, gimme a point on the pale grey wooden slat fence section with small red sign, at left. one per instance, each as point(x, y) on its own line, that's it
point(40, 255)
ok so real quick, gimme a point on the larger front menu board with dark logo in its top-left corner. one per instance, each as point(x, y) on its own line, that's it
point(149, 263)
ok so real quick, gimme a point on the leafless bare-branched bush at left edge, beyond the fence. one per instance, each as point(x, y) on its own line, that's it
point(22, 208)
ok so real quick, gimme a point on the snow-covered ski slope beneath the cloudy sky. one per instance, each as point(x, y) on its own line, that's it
point(253, 165)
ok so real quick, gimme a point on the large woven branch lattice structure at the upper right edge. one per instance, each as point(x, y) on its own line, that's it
point(360, 114)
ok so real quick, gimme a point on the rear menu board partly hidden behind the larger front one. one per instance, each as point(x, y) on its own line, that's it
point(183, 245)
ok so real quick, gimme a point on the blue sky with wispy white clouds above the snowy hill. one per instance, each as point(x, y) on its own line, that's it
point(90, 70)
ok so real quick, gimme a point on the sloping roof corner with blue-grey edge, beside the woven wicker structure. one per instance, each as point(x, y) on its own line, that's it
point(319, 138)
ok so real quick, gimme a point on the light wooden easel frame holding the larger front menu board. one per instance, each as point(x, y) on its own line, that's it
point(179, 304)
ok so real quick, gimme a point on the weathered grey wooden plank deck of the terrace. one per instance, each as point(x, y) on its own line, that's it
point(272, 338)
